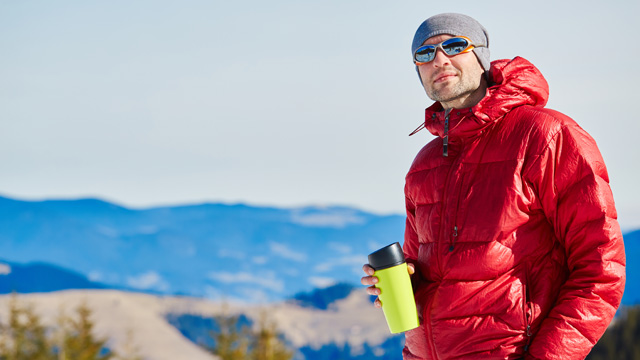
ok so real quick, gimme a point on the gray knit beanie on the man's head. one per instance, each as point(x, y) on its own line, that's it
point(457, 25)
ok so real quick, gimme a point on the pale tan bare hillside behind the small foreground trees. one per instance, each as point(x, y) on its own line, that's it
point(352, 321)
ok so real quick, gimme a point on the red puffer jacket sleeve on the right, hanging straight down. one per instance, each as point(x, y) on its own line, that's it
point(573, 186)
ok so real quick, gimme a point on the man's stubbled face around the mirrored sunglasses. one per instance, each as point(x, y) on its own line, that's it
point(450, 80)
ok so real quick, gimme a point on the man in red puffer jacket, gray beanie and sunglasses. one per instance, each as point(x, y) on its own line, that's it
point(511, 233)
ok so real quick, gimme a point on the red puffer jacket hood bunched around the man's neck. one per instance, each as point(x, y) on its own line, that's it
point(514, 83)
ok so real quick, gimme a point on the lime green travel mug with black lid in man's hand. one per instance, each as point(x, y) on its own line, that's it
point(396, 292)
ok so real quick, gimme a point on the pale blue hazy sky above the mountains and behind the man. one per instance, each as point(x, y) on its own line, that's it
point(281, 103)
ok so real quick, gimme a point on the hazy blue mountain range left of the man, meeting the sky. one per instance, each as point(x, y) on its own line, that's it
point(236, 252)
